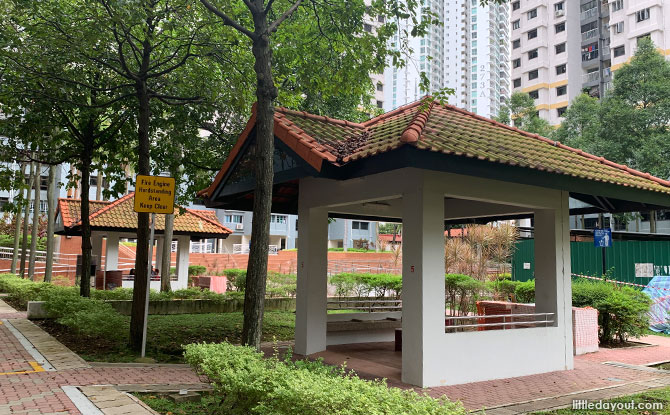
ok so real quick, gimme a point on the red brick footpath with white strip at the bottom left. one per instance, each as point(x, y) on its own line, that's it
point(38, 375)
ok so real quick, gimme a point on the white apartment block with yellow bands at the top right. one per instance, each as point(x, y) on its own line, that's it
point(561, 48)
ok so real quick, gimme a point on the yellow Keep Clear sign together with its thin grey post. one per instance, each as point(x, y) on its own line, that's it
point(153, 194)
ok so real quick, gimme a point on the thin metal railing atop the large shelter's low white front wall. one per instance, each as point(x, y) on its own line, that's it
point(509, 321)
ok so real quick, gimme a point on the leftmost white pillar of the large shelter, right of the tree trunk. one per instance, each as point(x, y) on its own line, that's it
point(312, 291)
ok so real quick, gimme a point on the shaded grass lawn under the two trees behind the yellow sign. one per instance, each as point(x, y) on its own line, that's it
point(166, 335)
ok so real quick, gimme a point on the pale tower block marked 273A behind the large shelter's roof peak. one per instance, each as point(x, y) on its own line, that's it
point(469, 52)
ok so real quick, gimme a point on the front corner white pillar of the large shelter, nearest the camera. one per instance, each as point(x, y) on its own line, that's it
point(423, 307)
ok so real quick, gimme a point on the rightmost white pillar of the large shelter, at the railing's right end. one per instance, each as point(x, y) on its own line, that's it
point(553, 286)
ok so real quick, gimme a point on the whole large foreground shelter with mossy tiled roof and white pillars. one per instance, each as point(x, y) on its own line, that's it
point(428, 164)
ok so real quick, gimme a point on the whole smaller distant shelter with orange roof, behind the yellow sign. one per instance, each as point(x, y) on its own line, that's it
point(112, 220)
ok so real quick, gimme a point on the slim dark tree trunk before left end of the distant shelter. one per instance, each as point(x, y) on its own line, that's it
point(86, 248)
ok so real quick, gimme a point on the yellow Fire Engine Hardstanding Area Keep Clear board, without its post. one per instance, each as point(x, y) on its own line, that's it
point(154, 194)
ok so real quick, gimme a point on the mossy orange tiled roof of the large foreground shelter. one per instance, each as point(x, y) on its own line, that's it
point(439, 128)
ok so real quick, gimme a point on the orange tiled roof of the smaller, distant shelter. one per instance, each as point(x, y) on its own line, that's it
point(120, 214)
